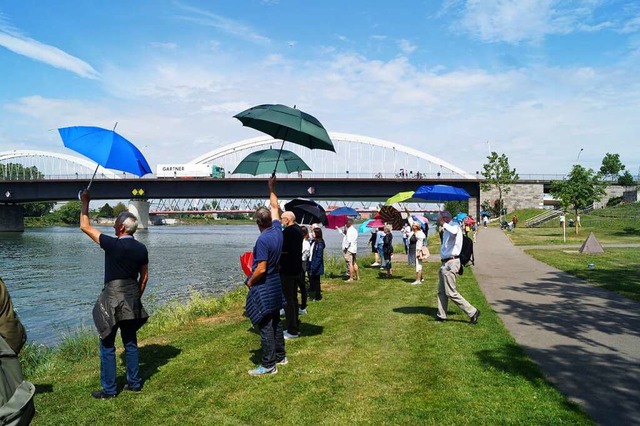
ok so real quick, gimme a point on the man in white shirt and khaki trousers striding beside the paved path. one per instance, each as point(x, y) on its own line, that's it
point(449, 255)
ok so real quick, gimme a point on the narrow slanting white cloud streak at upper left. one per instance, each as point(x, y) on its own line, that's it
point(45, 53)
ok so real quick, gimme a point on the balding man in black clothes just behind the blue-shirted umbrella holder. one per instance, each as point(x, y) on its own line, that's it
point(291, 272)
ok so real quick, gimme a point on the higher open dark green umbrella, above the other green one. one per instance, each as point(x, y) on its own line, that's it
point(288, 124)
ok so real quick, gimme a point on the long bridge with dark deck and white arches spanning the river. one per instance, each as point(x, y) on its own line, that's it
point(363, 169)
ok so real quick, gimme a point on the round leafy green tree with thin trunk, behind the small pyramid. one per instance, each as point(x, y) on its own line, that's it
point(581, 189)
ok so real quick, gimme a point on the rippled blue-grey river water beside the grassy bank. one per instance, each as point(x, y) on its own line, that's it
point(54, 275)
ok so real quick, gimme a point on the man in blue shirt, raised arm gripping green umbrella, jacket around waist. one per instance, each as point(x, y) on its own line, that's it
point(265, 298)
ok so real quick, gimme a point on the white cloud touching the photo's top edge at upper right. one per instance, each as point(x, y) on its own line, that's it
point(516, 21)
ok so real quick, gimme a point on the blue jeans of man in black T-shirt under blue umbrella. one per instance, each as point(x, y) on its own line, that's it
point(108, 357)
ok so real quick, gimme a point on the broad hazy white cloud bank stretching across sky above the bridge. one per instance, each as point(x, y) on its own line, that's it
point(536, 116)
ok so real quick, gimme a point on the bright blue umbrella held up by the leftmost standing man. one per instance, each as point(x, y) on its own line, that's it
point(105, 147)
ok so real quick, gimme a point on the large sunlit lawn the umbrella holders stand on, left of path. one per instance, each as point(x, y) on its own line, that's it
point(371, 353)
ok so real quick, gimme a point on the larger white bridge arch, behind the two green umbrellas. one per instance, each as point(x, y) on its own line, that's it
point(356, 156)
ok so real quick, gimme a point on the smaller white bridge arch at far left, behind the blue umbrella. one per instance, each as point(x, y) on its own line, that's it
point(52, 164)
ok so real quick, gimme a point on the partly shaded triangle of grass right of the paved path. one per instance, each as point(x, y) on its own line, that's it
point(617, 269)
